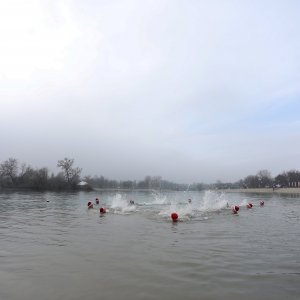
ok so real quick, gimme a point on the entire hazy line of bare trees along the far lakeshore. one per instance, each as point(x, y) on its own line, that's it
point(15, 175)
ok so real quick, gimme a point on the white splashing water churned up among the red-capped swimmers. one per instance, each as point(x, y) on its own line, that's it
point(162, 205)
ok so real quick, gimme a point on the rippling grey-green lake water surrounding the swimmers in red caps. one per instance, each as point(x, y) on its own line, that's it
point(53, 247)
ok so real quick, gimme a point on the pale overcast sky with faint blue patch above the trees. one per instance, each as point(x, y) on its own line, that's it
point(193, 91)
